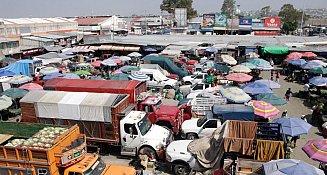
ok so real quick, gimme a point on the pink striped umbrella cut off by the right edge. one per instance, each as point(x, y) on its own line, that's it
point(316, 150)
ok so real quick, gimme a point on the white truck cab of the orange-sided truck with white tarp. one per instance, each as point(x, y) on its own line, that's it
point(139, 135)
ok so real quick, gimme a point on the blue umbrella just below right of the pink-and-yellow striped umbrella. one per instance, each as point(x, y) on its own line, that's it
point(293, 126)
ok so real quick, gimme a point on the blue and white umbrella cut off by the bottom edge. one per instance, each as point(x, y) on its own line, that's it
point(290, 167)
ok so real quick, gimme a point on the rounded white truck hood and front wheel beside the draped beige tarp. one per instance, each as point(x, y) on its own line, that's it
point(181, 160)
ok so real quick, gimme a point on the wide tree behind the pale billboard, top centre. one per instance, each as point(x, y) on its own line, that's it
point(170, 5)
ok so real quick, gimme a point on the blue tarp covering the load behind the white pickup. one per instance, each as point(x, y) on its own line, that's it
point(234, 112)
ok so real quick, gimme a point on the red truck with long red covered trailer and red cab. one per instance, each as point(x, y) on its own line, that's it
point(167, 116)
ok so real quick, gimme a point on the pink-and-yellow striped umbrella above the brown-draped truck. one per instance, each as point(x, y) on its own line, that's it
point(265, 110)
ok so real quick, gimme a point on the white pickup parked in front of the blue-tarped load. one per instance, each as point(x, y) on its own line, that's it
point(198, 128)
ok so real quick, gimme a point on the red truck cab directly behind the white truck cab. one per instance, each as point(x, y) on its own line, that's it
point(166, 116)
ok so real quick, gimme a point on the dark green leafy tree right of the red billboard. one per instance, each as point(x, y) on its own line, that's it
point(291, 18)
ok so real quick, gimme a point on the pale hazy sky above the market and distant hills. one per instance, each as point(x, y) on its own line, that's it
point(55, 8)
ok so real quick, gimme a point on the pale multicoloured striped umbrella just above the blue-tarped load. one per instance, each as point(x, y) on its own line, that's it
point(235, 94)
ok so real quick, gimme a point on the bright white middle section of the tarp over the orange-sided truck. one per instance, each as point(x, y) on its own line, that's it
point(68, 106)
